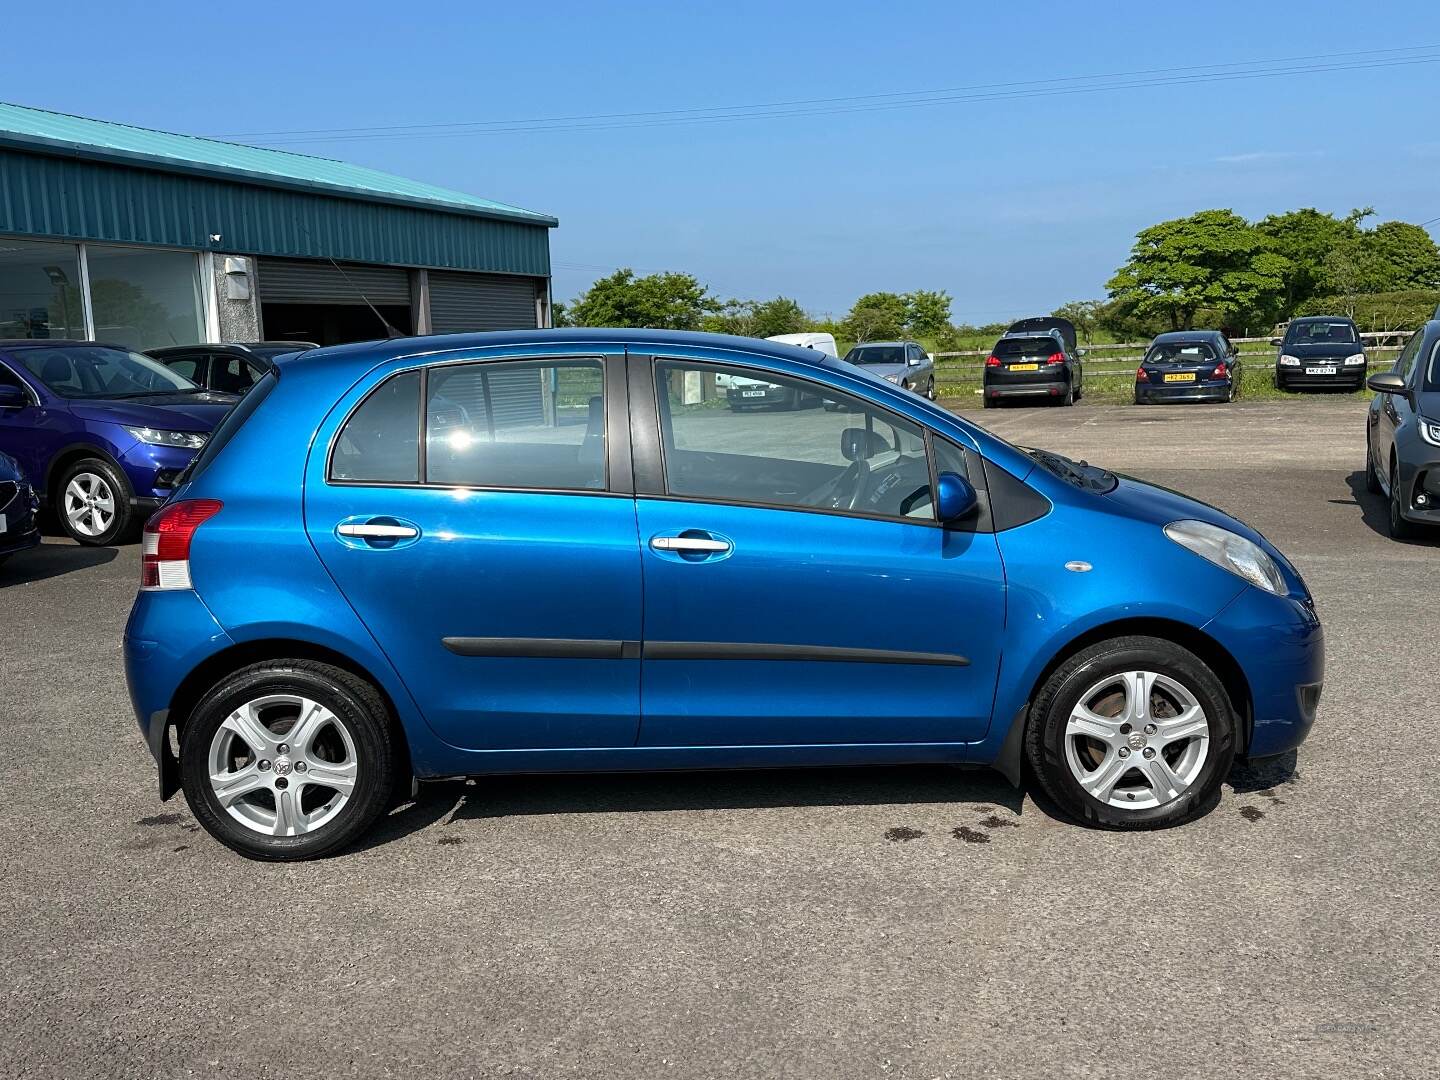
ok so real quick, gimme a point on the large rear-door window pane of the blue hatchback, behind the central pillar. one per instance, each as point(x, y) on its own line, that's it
point(518, 426)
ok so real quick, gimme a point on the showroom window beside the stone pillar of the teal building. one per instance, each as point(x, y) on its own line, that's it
point(145, 299)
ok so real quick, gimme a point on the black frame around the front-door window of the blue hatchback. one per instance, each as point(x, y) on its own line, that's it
point(649, 374)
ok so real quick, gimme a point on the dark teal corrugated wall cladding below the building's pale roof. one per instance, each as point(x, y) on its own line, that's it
point(90, 201)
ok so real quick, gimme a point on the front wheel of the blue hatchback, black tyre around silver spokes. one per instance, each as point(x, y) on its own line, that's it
point(1094, 678)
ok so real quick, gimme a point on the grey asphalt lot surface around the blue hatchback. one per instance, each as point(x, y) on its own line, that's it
point(830, 924)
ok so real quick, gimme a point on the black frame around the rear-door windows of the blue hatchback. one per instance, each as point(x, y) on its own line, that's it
point(613, 377)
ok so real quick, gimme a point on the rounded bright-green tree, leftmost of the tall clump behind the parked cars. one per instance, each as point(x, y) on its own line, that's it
point(1213, 260)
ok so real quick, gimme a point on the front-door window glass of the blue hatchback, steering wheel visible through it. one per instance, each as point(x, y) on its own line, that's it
point(737, 436)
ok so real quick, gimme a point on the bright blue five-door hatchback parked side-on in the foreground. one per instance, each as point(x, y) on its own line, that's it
point(559, 552)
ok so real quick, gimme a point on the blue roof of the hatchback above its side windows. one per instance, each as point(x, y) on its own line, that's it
point(361, 356)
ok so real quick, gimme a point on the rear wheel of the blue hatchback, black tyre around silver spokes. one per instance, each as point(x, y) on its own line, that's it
point(355, 742)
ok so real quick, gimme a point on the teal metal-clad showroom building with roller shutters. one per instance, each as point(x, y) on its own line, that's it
point(146, 238)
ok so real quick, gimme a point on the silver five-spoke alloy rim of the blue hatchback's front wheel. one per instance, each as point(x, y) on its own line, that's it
point(1137, 741)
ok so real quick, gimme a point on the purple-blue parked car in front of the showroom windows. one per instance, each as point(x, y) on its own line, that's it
point(103, 433)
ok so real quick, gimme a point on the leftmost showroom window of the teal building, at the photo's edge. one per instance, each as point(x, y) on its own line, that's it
point(41, 290)
